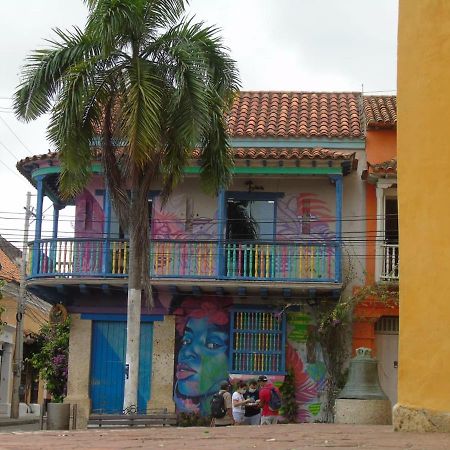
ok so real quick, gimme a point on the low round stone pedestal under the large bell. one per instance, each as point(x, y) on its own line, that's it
point(363, 412)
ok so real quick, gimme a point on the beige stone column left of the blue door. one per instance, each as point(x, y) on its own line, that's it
point(79, 368)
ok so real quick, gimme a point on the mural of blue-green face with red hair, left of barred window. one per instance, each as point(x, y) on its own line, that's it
point(202, 332)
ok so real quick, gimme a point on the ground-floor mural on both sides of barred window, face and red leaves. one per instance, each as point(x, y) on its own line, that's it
point(202, 349)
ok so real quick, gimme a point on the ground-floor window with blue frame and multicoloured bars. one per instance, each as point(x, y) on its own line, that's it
point(257, 342)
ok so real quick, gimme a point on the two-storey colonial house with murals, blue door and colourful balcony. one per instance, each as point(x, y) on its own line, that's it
point(235, 278)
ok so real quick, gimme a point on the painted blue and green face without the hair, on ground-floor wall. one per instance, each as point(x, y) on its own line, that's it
point(202, 359)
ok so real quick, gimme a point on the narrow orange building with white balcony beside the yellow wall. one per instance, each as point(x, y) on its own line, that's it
point(376, 321)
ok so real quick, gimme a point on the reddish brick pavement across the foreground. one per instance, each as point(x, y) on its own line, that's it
point(279, 437)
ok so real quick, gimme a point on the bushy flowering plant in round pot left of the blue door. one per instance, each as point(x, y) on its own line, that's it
point(51, 359)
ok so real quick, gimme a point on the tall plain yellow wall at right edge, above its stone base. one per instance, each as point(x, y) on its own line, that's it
point(424, 204)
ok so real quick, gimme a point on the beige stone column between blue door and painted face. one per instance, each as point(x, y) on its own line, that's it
point(162, 365)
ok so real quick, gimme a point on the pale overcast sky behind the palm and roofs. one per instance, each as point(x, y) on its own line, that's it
point(279, 45)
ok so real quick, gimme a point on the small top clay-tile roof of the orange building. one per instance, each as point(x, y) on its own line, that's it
point(380, 111)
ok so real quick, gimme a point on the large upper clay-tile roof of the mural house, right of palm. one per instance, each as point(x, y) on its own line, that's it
point(296, 114)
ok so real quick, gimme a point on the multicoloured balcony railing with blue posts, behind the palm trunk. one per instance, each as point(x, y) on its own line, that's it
point(275, 261)
